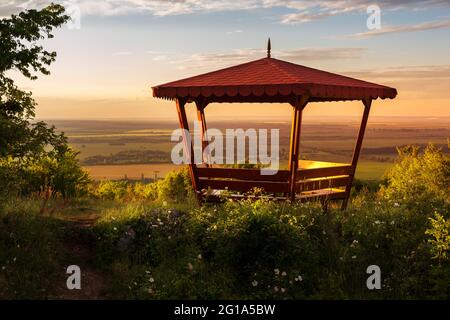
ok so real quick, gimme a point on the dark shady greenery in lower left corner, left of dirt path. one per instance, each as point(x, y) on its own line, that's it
point(30, 250)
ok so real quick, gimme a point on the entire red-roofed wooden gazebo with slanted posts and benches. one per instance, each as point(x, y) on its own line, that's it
point(270, 80)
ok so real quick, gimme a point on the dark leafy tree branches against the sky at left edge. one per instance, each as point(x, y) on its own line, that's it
point(20, 34)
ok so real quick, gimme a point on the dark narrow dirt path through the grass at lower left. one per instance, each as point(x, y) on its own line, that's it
point(79, 245)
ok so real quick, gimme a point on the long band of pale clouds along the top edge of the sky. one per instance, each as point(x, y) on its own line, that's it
point(302, 11)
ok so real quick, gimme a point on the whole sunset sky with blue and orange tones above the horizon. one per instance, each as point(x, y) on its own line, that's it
point(114, 51)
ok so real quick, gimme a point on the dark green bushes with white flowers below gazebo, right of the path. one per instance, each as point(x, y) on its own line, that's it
point(266, 250)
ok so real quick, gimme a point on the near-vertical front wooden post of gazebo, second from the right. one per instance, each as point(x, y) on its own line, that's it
point(298, 106)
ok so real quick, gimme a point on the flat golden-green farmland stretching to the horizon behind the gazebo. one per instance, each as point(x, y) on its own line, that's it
point(118, 149)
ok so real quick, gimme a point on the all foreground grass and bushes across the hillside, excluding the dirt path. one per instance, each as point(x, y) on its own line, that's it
point(152, 241)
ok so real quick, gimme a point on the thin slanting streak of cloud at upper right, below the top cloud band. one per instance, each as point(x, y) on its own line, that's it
point(402, 28)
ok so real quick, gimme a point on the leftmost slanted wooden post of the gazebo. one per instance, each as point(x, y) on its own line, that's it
point(181, 110)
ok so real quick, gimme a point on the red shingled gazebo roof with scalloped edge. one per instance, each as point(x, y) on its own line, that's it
point(271, 80)
